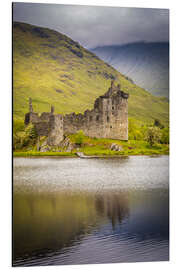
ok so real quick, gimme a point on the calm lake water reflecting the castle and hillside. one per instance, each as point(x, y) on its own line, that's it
point(76, 211)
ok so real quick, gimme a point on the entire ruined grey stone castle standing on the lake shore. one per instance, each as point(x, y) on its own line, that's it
point(108, 119)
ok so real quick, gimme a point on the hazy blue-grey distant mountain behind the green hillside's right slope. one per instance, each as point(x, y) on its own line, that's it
point(147, 64)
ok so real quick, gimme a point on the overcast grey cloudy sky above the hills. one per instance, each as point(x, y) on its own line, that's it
point(95, 26)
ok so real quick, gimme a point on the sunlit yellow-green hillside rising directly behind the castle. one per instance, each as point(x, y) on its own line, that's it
point(53, 69)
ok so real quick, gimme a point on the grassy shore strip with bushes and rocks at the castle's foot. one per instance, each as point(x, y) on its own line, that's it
point(143, 141)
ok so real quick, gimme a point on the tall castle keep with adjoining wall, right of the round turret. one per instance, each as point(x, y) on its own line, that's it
point(108, 119)
